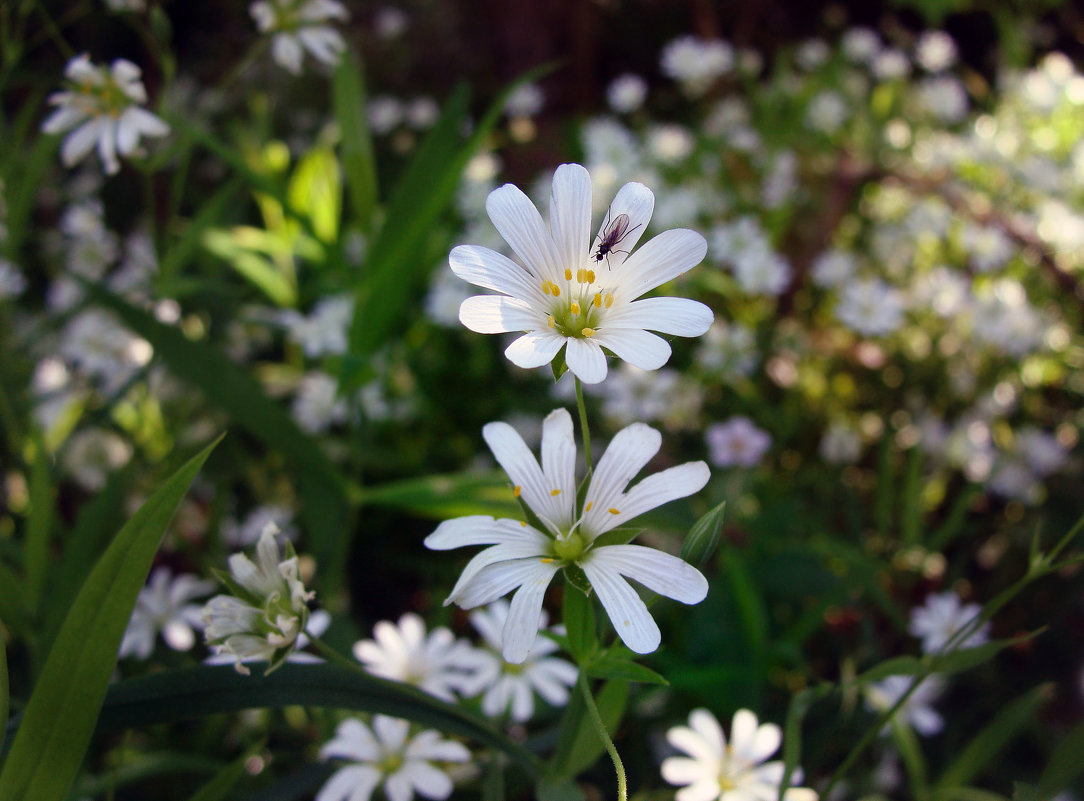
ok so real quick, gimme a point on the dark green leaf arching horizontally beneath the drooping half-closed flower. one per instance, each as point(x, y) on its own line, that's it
point(190, 693)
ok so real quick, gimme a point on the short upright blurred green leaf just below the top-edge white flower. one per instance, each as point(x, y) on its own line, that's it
point(357, 147)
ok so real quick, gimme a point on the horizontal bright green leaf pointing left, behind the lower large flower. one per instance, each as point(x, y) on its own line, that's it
point(445, 497)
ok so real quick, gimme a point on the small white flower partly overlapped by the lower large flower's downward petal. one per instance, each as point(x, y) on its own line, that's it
point(511, 689)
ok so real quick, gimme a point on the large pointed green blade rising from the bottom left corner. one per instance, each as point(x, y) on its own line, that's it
point(59, 719)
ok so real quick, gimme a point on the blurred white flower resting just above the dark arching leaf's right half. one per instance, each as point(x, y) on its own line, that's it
point(438, 663)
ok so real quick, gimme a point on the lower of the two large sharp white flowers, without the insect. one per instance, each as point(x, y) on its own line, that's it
point(523, 557)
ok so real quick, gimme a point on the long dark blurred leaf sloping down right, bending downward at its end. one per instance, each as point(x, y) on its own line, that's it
point(326, 513)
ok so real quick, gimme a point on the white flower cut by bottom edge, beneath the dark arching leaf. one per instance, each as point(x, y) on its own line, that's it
point(386, 754)
